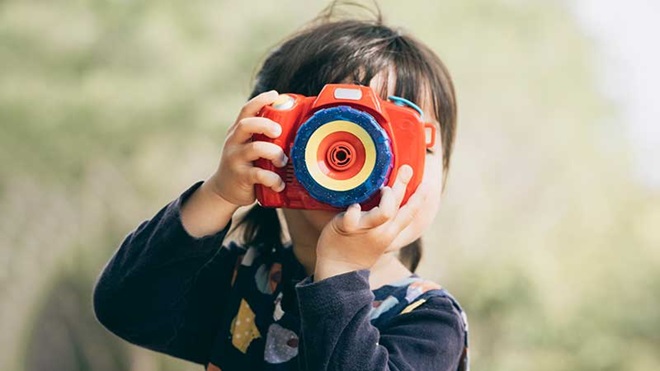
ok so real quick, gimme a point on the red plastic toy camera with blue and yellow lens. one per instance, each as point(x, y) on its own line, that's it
point(343, 146)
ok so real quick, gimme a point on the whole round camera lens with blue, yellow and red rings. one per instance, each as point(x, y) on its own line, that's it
point(341, 156)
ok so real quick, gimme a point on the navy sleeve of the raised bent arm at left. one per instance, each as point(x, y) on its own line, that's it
point(155, 291)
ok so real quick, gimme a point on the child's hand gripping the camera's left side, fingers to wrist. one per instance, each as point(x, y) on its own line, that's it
point(236, 176)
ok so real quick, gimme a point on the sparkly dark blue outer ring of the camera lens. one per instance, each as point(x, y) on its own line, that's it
point(374, 181)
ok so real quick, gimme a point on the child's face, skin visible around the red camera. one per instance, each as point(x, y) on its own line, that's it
point(431, 186)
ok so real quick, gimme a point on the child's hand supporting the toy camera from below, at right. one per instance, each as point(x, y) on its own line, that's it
point(355, 239)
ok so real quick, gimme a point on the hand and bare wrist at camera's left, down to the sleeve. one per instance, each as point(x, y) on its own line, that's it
point(211, 207)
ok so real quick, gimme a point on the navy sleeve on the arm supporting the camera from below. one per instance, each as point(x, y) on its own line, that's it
point(337, 333)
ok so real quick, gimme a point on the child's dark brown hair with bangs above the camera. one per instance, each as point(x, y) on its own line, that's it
point(353, 51)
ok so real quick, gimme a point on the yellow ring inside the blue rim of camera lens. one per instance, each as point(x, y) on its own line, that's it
point(315, 170)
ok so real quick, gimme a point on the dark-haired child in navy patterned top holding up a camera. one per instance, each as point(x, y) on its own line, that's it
point(336, 297)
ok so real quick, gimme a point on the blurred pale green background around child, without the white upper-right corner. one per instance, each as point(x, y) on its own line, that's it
point(109, 109)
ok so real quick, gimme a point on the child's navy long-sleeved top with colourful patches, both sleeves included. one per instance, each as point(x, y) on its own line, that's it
point(229, 308)
